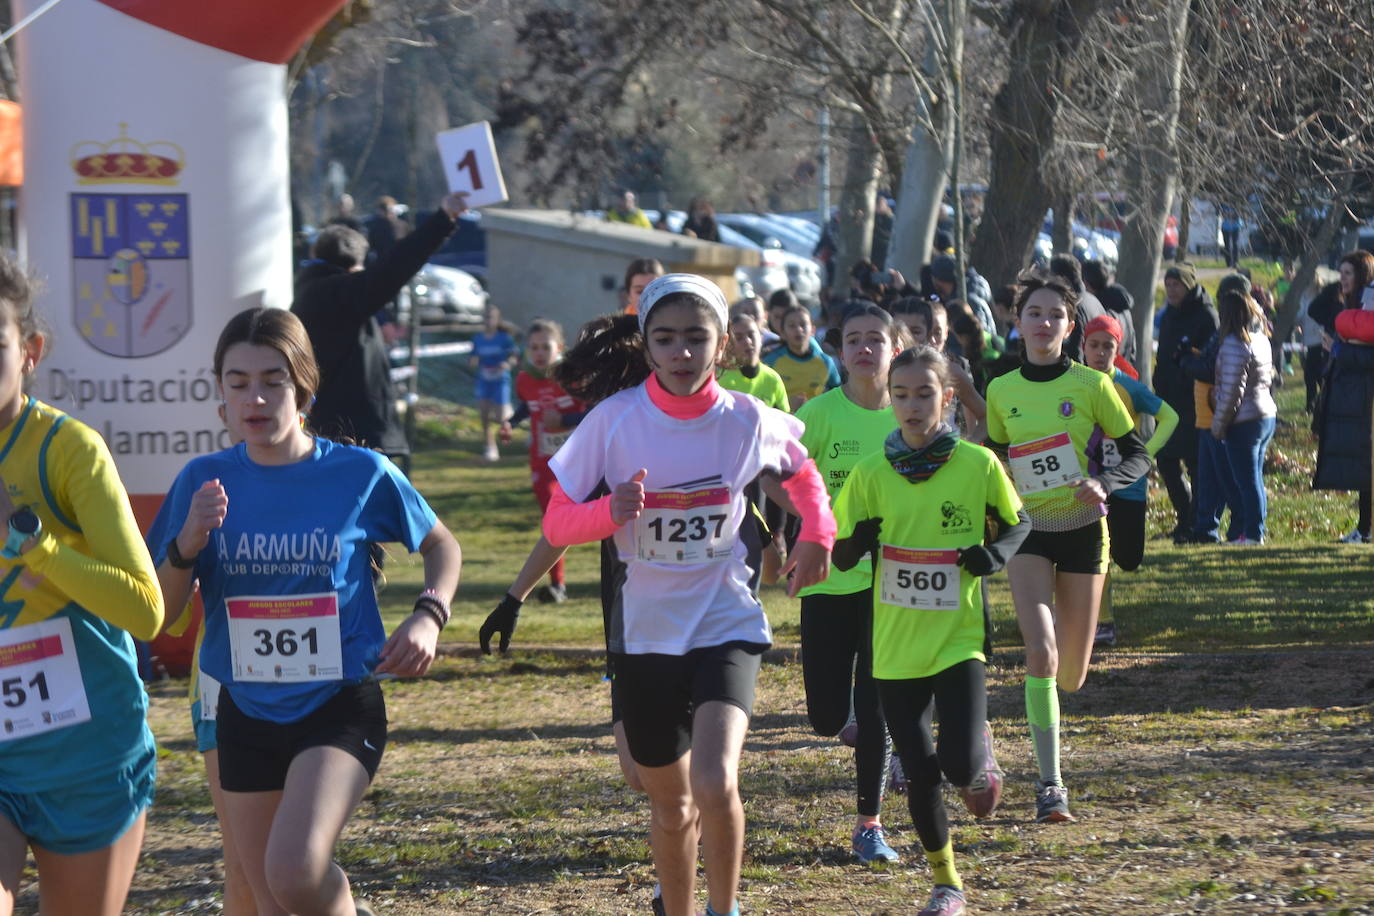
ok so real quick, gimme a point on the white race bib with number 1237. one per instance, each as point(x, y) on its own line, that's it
point(686, 528)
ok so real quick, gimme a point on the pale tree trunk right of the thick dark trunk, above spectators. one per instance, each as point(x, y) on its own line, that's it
point(1152, 176)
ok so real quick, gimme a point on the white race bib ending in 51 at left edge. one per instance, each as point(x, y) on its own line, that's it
point(41, 680)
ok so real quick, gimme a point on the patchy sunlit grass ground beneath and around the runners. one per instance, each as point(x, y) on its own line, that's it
point(1221, 759)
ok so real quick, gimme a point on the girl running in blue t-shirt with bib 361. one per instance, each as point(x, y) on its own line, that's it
point(275, 531)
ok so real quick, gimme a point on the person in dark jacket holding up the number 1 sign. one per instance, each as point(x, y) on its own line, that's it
point(339, 300)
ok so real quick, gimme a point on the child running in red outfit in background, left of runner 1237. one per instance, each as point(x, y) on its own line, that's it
point(552, 413)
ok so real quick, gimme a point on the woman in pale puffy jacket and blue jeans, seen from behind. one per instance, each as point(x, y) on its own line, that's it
point(1246, 411)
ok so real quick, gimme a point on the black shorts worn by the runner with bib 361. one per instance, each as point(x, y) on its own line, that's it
point(256, 753)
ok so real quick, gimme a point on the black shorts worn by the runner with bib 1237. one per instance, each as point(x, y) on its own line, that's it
point(657, 696)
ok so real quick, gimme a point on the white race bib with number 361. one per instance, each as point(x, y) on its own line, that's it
point(286, 638)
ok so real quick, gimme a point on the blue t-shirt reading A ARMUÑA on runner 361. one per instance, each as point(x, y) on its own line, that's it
point(296, 531)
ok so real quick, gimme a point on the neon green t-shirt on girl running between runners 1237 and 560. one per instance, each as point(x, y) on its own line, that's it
point(839, 435)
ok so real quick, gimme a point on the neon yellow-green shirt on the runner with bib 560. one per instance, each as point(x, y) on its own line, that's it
point(923, 527)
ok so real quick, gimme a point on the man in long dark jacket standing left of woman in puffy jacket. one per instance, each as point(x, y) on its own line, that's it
point(1189, 322)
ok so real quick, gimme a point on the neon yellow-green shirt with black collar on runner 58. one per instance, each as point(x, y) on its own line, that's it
point(1023, 413)
